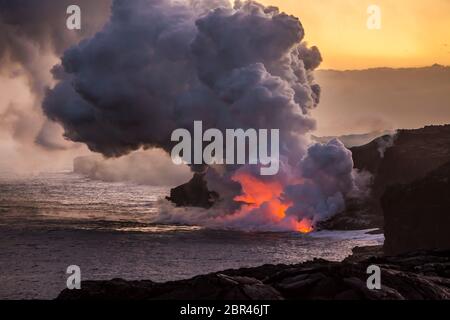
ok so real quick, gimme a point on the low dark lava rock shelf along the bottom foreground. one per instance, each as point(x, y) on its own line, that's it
point(420, 275)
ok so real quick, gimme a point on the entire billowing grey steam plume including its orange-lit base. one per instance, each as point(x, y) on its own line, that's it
point(159, 65)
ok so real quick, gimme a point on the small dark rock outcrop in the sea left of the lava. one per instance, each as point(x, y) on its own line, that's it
point(194, 193)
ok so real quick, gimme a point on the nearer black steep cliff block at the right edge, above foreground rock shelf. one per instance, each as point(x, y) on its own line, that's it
point(417, 215)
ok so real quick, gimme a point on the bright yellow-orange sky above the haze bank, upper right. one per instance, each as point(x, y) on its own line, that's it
point(413, 32)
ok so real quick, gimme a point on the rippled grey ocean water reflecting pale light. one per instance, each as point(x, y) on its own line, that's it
point(50, 221)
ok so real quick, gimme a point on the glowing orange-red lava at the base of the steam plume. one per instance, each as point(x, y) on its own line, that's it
point(256, 193)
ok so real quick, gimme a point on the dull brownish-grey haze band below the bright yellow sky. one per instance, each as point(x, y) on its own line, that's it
point(379, 99)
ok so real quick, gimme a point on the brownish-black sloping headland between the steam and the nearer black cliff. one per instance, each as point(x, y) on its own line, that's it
point(403, 158)
